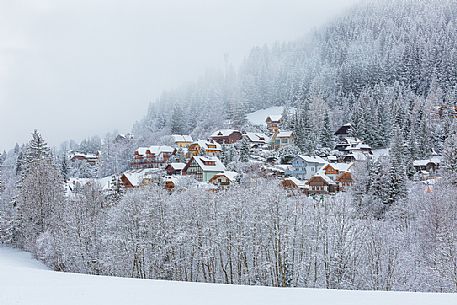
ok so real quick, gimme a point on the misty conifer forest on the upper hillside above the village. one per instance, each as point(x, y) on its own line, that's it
point(390, 57)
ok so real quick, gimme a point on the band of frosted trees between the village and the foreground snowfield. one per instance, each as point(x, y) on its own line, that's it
point(255, 233)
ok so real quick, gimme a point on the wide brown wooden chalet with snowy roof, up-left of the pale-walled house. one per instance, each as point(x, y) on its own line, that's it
point(152, 156)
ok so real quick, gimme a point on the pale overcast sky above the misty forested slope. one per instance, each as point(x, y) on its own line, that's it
point(77, 68)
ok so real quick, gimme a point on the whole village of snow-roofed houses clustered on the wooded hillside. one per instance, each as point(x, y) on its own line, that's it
point(201, 163)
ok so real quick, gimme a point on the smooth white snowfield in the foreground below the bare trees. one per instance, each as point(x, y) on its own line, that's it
point(26, 281)
